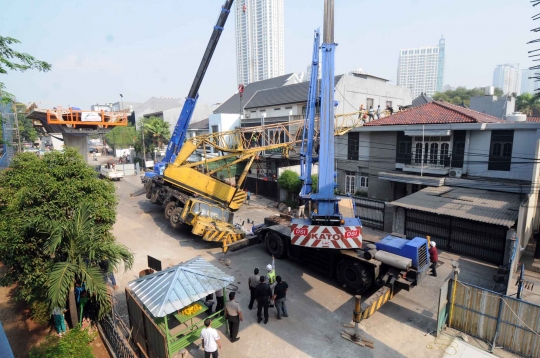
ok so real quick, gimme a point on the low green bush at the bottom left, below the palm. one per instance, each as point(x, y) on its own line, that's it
point(73, 344)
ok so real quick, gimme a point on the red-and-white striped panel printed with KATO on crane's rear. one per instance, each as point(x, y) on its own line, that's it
point(331, 237)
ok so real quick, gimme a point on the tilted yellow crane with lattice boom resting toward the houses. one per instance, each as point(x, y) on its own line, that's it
point(196, 192)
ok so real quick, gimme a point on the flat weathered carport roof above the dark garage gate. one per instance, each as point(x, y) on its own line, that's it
point(492, 207)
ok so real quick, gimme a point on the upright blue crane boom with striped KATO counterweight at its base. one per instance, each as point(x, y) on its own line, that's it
point(327, 203)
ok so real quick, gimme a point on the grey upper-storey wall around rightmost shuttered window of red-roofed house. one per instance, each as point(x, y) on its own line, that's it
point(522, 155)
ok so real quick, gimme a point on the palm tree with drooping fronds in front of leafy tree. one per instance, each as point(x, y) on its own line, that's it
point(77, 248)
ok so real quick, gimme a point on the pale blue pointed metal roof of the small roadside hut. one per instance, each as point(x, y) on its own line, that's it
point(170, 290)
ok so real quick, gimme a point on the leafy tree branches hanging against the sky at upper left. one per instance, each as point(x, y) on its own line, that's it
point(11, 60)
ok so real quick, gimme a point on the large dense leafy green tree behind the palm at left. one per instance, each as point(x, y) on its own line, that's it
point(34, 192)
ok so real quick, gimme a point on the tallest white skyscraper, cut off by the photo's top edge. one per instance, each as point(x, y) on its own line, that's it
point(260, 43)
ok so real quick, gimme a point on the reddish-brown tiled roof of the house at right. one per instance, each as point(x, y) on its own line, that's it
point(436, 112)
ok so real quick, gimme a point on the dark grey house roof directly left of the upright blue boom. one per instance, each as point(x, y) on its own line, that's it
point(282, 95)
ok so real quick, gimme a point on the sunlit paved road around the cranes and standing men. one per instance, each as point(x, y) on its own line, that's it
point(317, 305)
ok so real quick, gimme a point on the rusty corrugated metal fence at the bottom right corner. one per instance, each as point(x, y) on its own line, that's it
point(501, 320)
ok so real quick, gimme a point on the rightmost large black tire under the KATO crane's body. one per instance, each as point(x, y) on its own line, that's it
point(354, 276)
